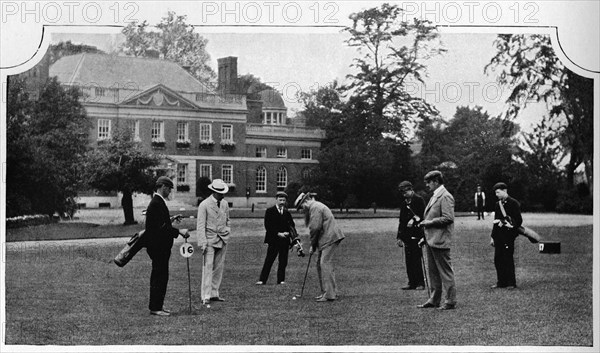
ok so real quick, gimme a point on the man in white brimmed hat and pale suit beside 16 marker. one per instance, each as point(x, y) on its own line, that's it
point(213, 229)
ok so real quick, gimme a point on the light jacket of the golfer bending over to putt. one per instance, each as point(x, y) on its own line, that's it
point(323, 228)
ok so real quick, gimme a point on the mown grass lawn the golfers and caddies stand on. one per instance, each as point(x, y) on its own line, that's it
point(70, 293)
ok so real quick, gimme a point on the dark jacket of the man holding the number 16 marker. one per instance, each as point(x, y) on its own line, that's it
point(159, 231)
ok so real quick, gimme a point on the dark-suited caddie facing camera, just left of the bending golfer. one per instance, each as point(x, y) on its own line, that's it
point(278, 221)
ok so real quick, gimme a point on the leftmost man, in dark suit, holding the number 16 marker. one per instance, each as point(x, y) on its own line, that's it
point(159, 240)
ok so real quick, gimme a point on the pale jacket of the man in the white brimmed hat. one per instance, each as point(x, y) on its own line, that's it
point(213, 225)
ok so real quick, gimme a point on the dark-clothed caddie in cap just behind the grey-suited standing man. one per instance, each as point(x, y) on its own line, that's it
point(409, 234)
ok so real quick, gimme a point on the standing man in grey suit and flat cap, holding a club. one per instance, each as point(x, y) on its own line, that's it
point(438, 224)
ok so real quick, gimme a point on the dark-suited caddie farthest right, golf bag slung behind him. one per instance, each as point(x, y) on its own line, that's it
point(506, 221)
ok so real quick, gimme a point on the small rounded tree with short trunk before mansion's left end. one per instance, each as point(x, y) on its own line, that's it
point(121, 164)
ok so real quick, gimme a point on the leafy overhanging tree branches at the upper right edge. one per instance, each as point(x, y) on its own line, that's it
point(529, 66)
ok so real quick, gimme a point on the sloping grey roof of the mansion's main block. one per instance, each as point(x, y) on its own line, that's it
point(105, 70)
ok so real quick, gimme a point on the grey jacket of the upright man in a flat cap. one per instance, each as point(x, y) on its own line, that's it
point(440, 210)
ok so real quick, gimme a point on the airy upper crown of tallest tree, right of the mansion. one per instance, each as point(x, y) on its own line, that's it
point(392, 54)
